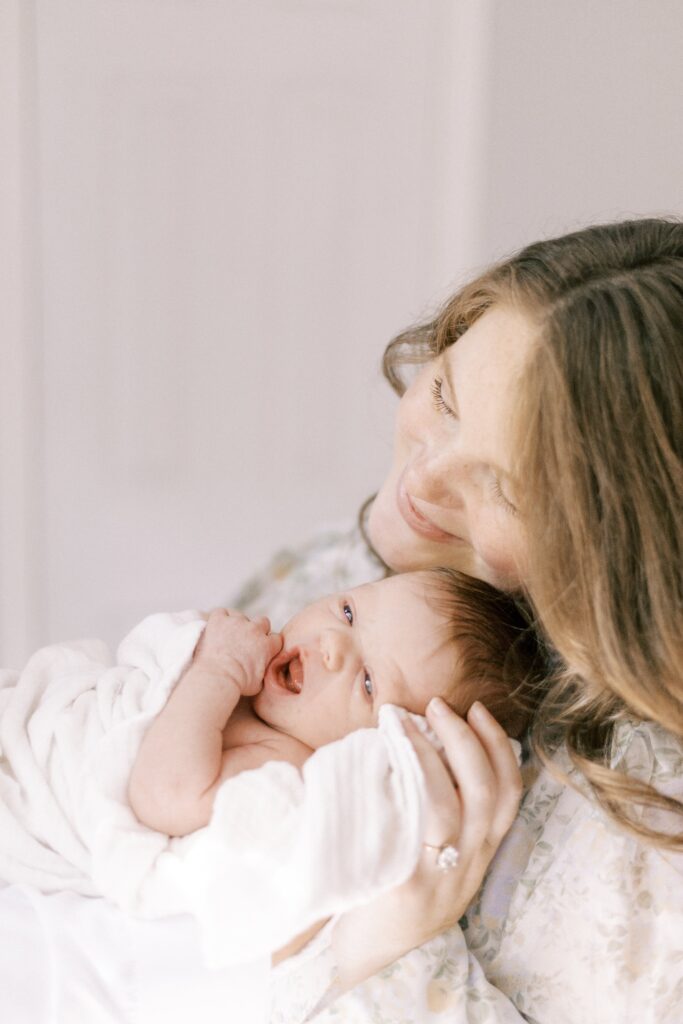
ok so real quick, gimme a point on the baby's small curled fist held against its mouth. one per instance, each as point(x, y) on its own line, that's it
point(235, 647)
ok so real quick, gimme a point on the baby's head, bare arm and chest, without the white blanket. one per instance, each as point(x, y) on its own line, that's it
point(251, 697)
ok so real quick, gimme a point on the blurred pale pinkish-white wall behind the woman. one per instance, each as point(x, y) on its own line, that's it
point(214, 216)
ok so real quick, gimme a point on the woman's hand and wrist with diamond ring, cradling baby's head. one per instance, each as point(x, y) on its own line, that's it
point(473, 800)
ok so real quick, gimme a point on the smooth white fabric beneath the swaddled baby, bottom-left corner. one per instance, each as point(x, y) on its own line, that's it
point(73, 960)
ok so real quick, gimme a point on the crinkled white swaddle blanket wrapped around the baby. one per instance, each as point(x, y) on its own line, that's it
point(282, 851)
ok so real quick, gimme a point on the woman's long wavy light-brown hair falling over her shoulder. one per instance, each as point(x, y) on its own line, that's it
point(600, 460)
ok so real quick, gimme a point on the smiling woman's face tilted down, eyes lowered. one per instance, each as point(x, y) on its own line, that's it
point(449, 499)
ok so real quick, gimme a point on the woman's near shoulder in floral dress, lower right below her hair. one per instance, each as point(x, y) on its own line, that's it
point(570, 888)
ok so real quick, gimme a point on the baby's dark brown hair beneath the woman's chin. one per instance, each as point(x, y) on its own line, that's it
point(501, 660)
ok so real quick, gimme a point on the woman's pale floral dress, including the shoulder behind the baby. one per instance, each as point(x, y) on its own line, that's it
point(577, 923)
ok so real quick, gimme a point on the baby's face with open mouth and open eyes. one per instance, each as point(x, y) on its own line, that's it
point(349, 654)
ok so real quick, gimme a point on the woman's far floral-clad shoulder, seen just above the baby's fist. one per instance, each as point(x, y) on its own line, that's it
point(335, 559)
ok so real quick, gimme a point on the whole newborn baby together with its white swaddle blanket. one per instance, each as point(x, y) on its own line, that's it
point(110, 767)
